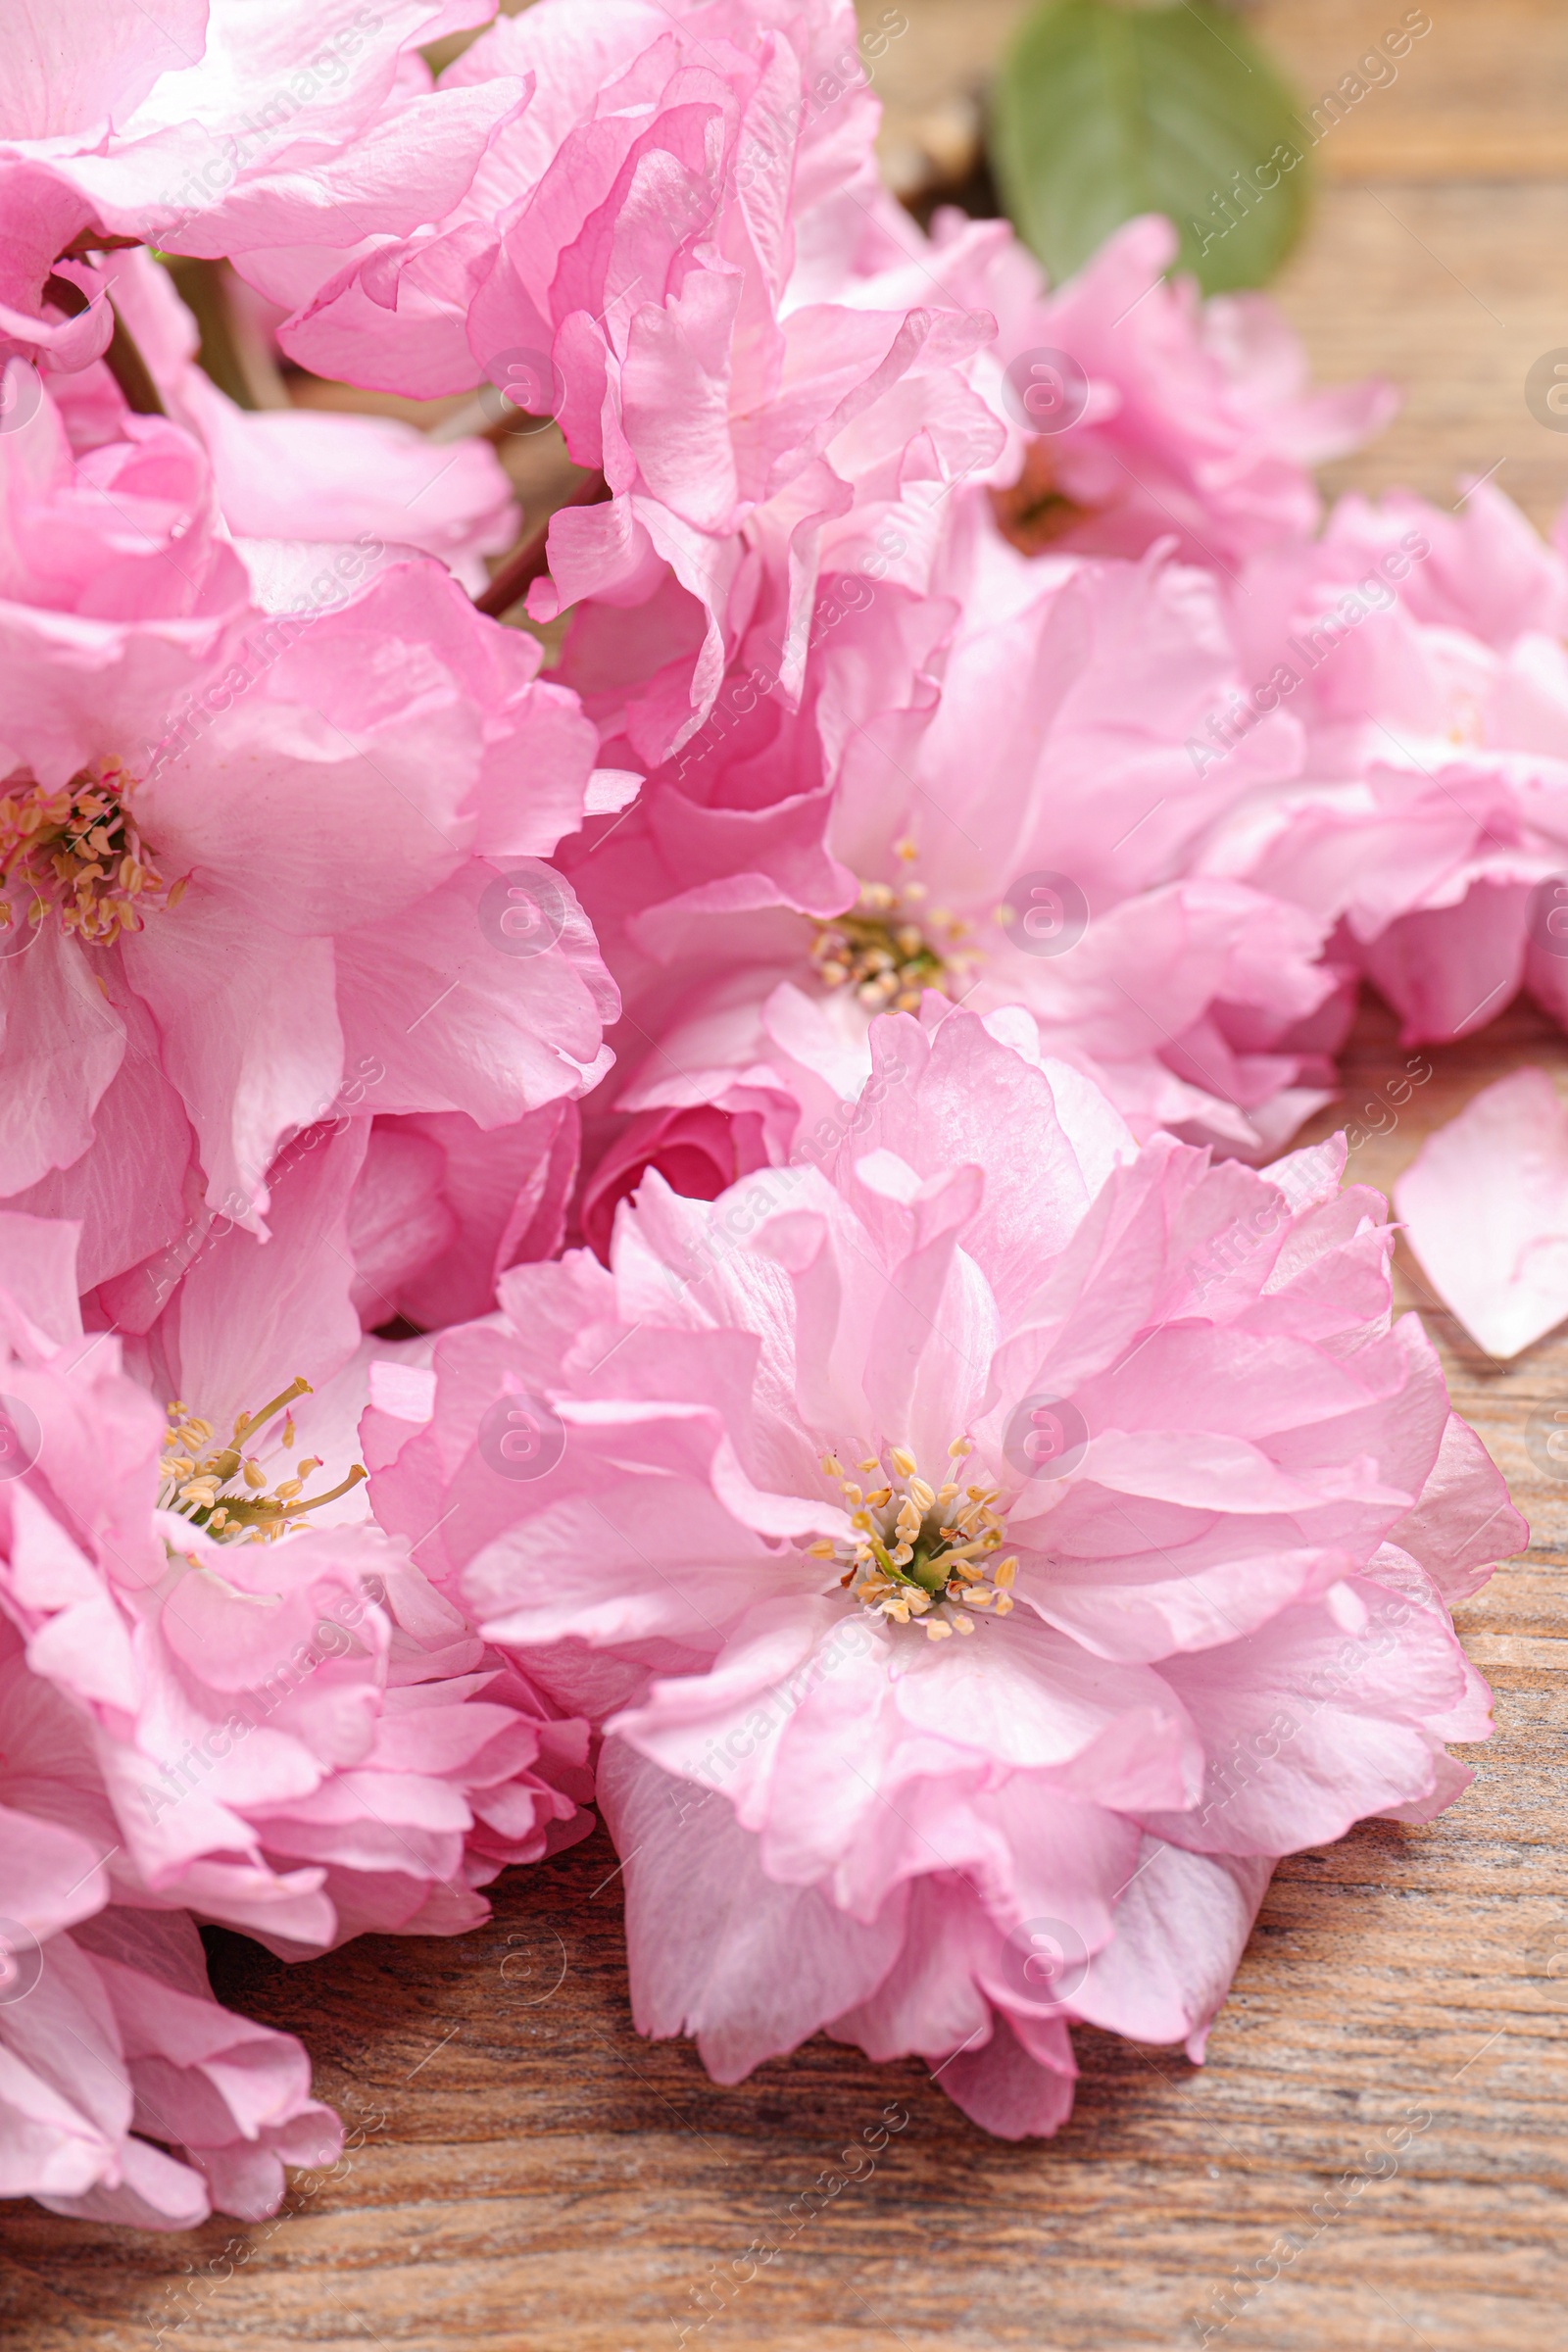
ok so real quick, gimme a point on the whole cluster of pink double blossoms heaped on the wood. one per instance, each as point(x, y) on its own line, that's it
point(652, 1180)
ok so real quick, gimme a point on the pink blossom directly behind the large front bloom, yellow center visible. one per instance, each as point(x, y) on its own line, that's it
point(786, 878)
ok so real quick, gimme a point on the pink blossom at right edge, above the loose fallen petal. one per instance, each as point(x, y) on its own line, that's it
point(1428, 824)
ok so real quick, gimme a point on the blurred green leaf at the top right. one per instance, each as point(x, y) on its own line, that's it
point(1104, 112)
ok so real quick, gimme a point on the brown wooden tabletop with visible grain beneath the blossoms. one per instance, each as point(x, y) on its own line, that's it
point(535, 2174)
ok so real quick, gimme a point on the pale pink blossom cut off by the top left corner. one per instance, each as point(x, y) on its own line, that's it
point(213, 128)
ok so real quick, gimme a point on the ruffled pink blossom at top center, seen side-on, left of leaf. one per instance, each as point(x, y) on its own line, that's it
point(629, 262)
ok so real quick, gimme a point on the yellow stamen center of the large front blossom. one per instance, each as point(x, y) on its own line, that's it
point(920, 1551)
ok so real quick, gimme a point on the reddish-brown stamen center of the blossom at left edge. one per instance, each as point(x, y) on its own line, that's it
point(81, 855)
